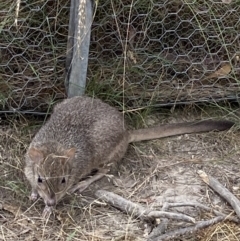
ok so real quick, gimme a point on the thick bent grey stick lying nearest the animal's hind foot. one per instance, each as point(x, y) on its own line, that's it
point(137, 210)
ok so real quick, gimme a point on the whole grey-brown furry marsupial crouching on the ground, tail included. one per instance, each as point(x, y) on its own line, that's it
point(82, 134)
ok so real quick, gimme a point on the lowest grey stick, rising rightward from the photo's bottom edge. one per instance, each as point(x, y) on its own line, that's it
point(187, 230)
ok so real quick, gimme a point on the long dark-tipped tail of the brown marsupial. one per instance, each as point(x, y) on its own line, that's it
point(178, 129)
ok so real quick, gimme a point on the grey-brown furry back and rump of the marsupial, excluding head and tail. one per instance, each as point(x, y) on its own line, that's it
point(91, 126)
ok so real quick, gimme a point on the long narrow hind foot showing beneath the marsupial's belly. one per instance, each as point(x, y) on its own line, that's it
point(81, 186)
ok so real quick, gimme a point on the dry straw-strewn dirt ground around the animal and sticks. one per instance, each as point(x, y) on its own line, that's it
point(151, 174)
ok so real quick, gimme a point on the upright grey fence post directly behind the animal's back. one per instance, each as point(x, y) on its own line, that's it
point(81, 15)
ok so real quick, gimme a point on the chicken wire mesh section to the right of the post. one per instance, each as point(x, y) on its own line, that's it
point(166, 52)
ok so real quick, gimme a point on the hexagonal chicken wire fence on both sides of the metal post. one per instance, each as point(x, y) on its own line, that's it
point(145, 51)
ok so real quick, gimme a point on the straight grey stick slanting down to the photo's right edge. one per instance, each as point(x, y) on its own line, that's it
point(221, 190)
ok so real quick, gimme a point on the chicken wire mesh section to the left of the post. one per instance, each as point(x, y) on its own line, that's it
point(33, 41)
